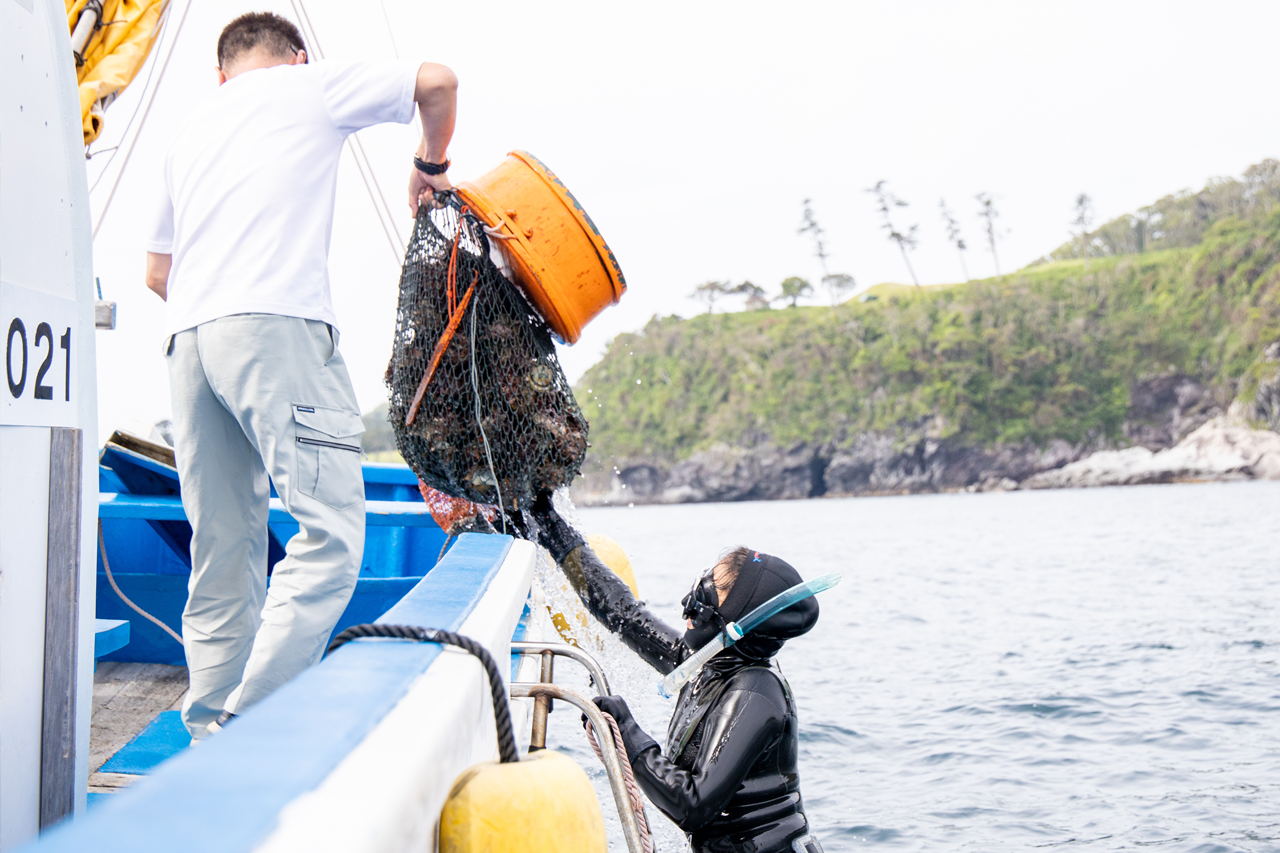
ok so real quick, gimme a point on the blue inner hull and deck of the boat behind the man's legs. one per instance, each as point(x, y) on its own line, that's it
point(140, 682)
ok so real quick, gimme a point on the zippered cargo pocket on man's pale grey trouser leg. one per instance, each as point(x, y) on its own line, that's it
point(328, 454)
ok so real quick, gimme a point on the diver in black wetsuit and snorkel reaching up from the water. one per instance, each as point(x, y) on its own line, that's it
point(729, 774)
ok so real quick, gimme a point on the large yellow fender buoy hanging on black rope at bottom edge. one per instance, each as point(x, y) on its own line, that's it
point(543, 804)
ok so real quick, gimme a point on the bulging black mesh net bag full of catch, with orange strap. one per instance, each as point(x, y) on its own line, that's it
point(479, 404)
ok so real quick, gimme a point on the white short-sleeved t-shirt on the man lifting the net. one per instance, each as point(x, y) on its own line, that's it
point(250, 185)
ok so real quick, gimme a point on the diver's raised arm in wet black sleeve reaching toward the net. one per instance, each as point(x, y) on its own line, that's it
point(606, 596)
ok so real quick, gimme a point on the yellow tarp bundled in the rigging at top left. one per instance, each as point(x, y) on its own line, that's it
point(115, 53)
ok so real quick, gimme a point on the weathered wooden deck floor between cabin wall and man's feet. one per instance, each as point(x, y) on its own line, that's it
point(127, 697)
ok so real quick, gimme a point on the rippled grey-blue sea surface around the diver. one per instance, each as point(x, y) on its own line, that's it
point(1094, 668)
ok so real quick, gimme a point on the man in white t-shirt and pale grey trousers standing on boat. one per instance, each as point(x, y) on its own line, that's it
point(240, 250)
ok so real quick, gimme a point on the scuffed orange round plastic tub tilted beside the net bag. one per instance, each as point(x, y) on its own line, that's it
point(556, 253)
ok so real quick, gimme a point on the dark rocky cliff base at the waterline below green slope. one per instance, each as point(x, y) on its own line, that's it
point(1164, 410)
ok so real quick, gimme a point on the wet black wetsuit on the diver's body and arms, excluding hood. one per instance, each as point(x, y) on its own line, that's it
point(729, 777)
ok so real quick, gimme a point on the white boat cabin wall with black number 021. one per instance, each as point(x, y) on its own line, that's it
point(48, 427)
